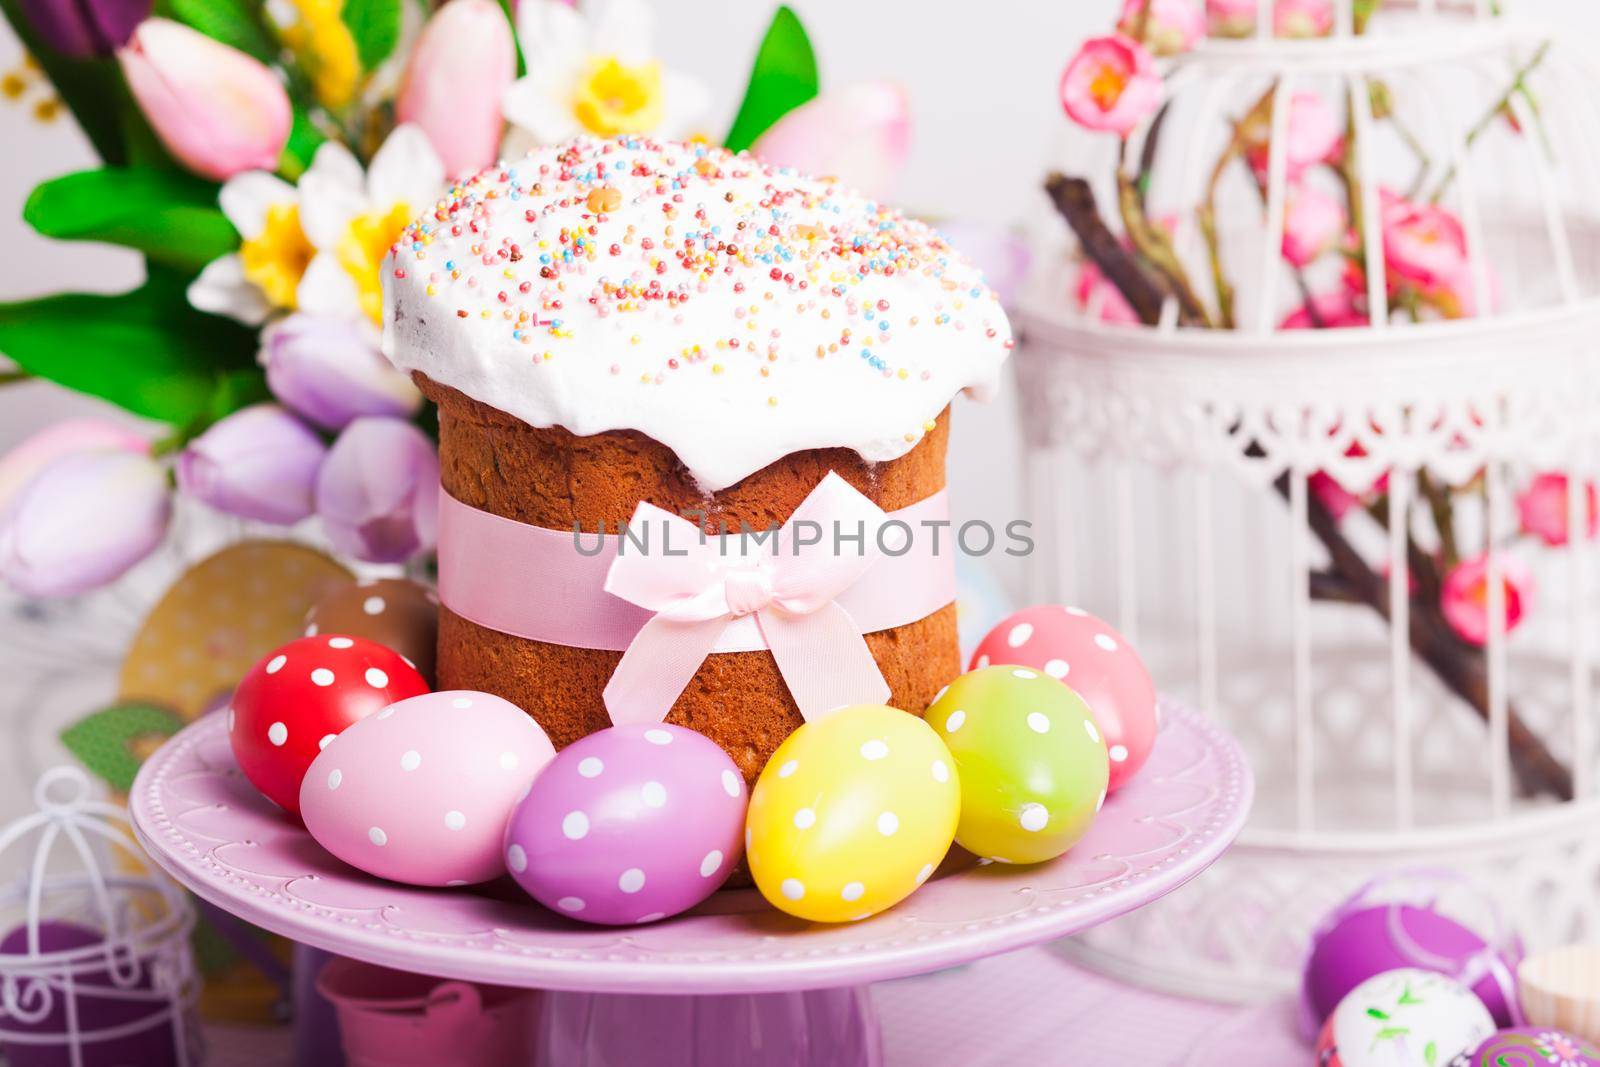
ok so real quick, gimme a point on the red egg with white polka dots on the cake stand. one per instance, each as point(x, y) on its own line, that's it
point(302, 697)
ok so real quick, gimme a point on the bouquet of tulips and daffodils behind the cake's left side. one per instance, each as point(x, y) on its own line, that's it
point(263, 158)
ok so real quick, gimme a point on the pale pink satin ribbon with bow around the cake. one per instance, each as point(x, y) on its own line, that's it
point(809, 605)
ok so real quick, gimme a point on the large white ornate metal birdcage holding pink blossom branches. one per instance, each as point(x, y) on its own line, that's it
point(1180, 476)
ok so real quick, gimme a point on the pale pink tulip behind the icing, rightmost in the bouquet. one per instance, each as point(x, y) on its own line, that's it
point(860, 135)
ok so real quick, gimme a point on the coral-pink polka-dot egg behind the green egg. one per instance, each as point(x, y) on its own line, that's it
point(1097, 663)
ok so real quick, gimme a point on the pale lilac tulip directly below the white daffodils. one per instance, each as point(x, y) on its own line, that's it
point(332, 372)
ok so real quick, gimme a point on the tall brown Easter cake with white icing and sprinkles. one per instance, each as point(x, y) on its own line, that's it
point(615, 322)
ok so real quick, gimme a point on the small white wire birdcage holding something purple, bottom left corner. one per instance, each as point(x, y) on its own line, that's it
point(95, 964)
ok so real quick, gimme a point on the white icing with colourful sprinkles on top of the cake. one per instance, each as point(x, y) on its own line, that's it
point(732, 311)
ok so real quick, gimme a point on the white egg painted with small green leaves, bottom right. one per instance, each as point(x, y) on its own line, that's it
point(1404, 1018)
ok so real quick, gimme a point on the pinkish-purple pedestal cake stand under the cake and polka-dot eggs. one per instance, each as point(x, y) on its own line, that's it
point(730, 983)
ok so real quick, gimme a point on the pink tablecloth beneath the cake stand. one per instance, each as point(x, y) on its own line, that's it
point(1025, 1009)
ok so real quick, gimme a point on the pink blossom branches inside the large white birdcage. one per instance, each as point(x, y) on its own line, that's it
point(1367, 222)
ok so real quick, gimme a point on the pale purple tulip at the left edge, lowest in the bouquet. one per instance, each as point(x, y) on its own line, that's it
point(82, 522)
